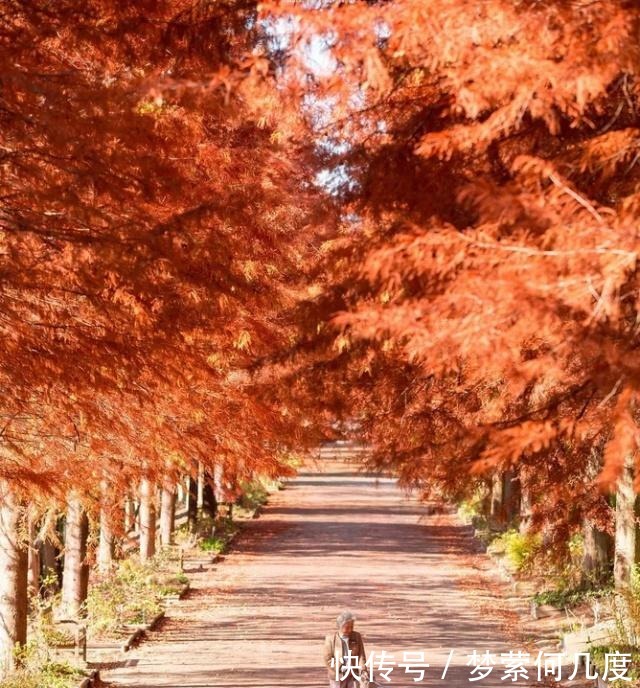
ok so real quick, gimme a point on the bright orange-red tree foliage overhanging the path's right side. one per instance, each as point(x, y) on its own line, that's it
point(483, 288)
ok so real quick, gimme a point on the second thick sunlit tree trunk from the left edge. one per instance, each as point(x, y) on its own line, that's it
point(75, 577)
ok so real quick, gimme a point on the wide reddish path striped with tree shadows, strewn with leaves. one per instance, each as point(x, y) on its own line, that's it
point(332, 539)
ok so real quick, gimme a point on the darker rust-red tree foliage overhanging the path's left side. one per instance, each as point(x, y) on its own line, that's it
point(150, 224)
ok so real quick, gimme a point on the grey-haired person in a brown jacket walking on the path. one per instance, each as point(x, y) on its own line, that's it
point(337, 646)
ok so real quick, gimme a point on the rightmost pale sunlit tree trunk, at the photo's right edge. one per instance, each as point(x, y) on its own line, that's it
point(625, 538)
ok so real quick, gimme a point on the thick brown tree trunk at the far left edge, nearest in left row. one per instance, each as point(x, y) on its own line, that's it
point(13, 578)
